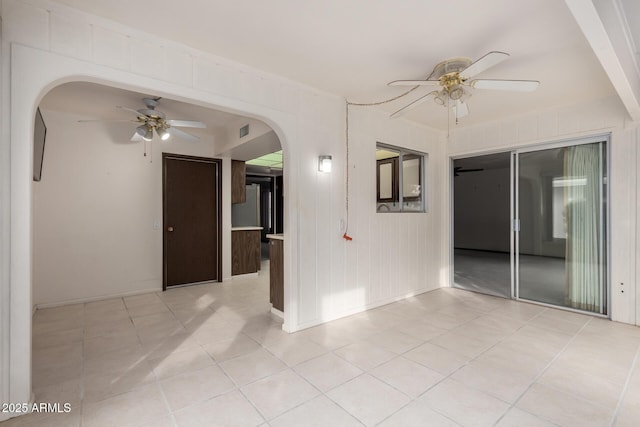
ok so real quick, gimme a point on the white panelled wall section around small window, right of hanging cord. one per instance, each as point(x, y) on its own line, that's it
point(392, 253)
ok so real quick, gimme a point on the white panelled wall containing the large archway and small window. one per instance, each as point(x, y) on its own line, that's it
point(325, 276)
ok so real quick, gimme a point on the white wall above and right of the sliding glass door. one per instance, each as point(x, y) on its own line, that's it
point(605, 116)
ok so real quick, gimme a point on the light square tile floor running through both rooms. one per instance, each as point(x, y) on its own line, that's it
point(211, 355)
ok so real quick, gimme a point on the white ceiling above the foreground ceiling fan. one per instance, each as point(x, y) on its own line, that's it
point(354, 48)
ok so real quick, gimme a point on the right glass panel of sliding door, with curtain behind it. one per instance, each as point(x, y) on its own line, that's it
point(561, 235)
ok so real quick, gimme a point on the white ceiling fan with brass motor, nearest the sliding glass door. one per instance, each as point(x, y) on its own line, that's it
point(454, 78)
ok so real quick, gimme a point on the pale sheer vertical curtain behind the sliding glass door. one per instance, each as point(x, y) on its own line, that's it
point(584, 253)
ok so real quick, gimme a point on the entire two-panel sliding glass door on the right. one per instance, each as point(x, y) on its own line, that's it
point(531, 224)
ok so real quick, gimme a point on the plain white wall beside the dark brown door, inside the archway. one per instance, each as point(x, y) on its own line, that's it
point(95, 209)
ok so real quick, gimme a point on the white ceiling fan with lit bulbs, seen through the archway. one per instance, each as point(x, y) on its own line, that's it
point(150, 119)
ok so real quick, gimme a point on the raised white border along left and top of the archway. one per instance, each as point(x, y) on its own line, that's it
point(27, 92)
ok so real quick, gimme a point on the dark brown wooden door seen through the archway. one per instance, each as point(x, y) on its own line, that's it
point(192, 192)
